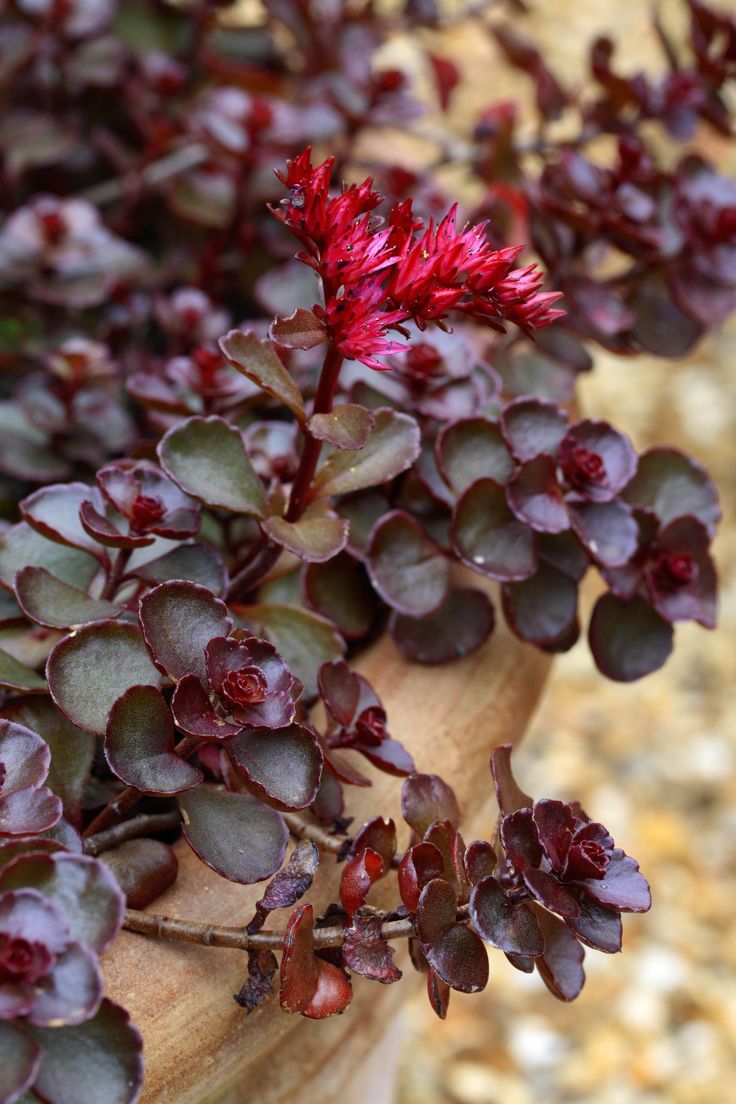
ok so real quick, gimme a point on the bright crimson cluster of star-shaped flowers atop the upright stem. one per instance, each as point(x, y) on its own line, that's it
point(379, 274)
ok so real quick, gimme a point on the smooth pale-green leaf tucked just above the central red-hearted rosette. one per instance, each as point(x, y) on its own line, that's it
point(303, 639)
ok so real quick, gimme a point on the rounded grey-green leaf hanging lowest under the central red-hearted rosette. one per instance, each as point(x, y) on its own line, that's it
point(236, 834)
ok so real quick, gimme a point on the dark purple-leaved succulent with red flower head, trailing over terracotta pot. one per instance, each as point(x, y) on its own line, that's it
point(206, 523)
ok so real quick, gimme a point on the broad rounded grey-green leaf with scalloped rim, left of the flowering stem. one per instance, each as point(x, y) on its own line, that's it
point(208, 459)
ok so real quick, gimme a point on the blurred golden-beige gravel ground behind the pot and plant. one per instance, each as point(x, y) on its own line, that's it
point(655, 761)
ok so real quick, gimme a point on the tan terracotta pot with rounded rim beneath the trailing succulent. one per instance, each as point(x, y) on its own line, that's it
point(200, 1046)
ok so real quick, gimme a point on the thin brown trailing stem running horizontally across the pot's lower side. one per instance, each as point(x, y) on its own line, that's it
point(186, 931)
